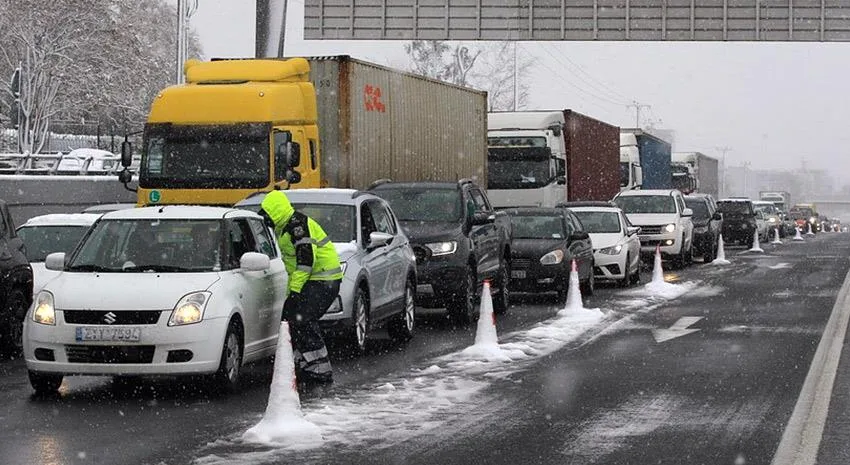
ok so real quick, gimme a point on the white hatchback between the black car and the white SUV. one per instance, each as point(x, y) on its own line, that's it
point(616, 244)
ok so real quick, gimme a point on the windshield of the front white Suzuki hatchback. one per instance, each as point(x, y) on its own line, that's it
point(142, 245)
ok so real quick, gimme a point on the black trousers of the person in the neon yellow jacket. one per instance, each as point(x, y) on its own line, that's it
point(302, 311)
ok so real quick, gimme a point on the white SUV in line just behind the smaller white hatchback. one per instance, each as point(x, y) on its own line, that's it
point(664, 220)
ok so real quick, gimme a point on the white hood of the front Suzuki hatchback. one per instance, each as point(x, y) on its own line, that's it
point(125, 291)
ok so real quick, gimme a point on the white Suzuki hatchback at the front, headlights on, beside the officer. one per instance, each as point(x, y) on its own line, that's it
point(167, 290)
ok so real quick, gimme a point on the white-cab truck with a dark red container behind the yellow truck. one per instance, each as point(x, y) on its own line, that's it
point(543, 158)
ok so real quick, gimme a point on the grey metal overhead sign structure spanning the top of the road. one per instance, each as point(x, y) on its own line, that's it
point(587, 20)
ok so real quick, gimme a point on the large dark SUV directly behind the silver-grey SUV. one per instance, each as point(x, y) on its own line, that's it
point(458, 239)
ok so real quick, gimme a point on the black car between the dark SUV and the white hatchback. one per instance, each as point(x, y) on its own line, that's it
point(544, 243)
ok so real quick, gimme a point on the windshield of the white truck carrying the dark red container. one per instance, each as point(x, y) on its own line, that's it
point(519, 168)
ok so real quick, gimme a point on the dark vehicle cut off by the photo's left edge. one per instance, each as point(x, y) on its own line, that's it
point(15, 285)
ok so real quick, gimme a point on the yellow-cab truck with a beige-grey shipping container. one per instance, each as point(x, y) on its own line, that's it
point(241, 126)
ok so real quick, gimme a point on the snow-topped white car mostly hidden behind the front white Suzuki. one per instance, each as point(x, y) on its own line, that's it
point(46, 234)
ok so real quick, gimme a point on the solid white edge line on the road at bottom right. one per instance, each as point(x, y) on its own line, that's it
point(804, 431)
